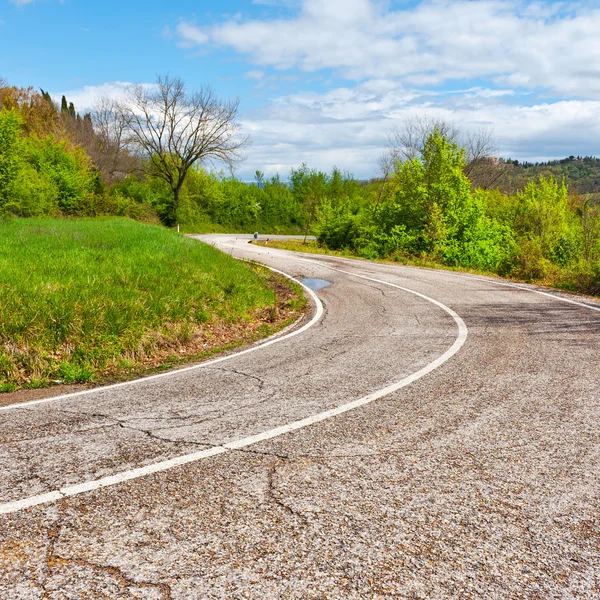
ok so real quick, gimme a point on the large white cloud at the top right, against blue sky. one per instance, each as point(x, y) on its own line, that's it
point(529, 44)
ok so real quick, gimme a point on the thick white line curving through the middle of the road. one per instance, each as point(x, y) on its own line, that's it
point(64, 492)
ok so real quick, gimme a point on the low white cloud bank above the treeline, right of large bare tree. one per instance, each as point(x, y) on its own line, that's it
point(349, 127)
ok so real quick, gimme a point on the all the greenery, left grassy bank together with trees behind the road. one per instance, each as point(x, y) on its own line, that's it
point(91, 299)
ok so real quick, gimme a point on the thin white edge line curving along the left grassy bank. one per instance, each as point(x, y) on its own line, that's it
point(277, 337)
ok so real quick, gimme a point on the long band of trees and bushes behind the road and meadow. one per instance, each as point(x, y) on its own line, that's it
point(437, 200)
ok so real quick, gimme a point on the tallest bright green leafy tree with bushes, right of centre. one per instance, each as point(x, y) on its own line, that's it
point(432, 212)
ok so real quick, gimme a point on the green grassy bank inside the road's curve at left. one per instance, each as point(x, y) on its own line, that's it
point(90, 300)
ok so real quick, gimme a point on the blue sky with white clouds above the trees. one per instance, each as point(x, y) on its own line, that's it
point(325, 81)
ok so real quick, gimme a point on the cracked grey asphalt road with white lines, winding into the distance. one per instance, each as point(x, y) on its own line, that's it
point(430, 435)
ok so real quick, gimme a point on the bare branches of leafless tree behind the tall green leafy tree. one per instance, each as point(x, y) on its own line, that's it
point(483, 168)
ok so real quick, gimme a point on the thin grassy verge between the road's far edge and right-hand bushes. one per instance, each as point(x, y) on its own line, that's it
point(560, 278)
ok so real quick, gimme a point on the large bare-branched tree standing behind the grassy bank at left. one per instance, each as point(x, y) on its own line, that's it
point(174, 129)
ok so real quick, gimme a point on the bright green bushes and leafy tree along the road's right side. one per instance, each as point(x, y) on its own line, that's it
point(429, 211)
